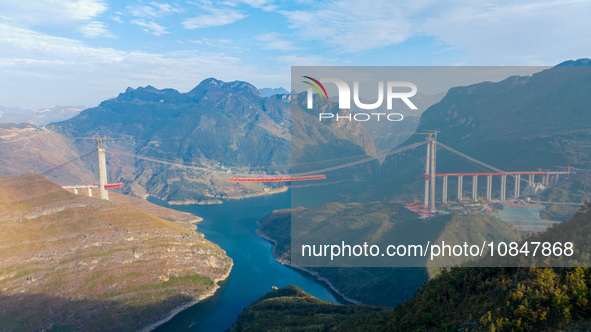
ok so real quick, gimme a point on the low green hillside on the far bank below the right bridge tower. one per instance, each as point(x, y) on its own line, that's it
point(381, 224)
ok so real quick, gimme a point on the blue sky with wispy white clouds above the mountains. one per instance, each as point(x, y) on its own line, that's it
point(80, 52)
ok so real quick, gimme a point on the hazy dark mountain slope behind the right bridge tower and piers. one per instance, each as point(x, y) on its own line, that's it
point(523, 123)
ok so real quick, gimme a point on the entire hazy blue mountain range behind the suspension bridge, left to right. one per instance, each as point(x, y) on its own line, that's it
point(230, 126)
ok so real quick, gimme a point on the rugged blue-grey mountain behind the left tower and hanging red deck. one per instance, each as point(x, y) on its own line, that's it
point(224, 126)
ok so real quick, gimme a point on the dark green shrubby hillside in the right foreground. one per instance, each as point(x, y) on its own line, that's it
point(474, 299)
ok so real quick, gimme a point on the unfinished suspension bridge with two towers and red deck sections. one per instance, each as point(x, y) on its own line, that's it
point(545, 178)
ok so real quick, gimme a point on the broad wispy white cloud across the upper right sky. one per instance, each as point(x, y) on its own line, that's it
point(491, 32)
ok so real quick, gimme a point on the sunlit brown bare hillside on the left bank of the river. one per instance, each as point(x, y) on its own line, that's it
point(70, 261)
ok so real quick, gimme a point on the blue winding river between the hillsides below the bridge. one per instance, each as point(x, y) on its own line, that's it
point(232, 226)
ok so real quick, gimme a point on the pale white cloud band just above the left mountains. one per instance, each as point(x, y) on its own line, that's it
point(39, 70)
